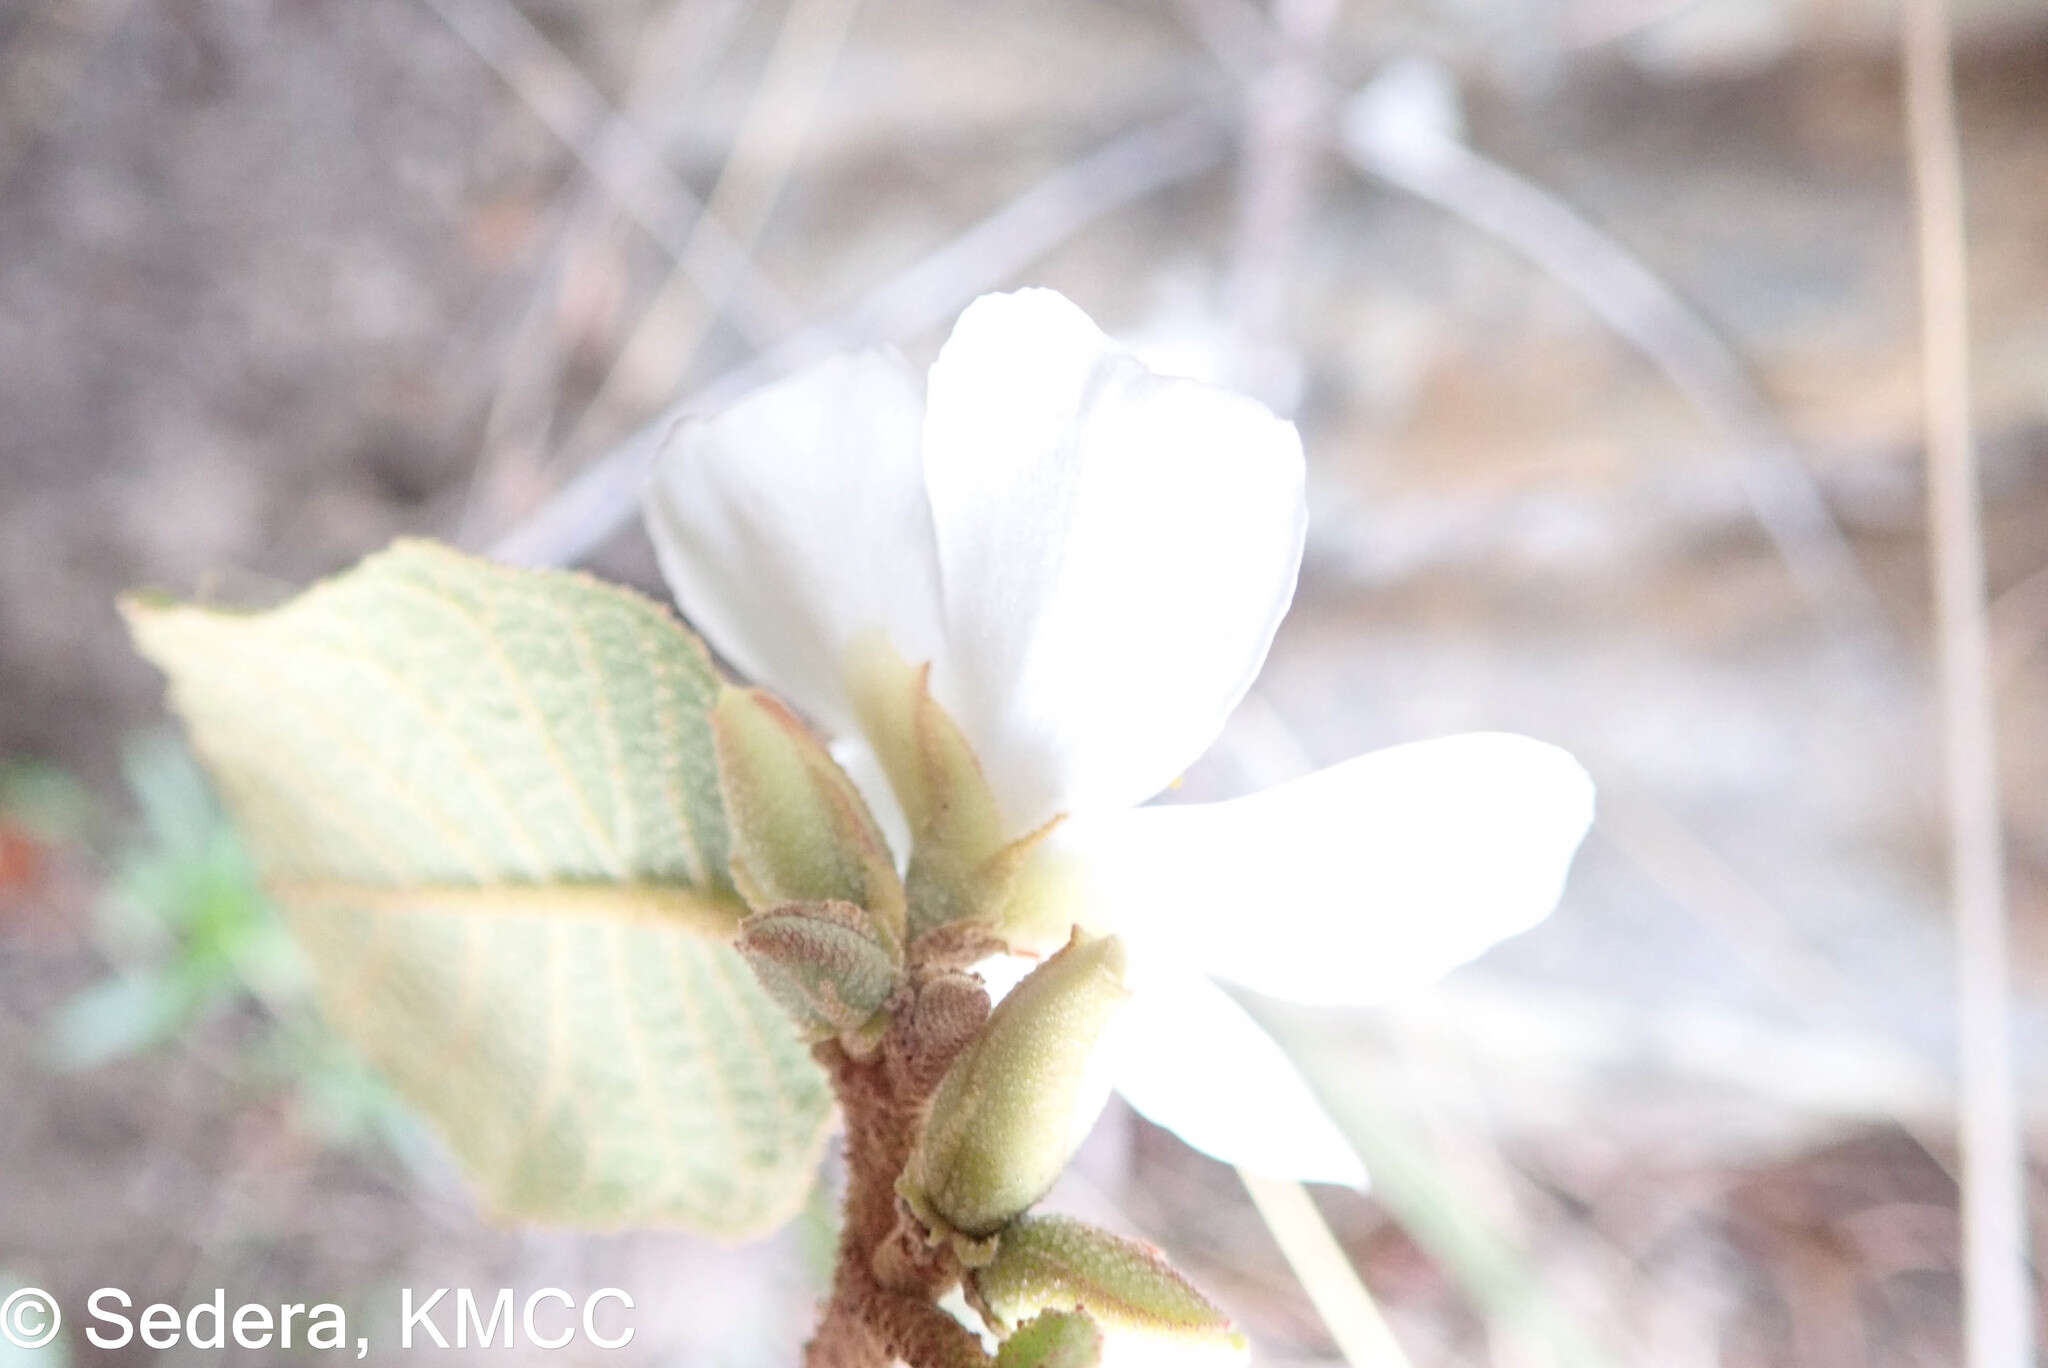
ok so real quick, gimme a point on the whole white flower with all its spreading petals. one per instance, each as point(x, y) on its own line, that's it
point(1095, 560)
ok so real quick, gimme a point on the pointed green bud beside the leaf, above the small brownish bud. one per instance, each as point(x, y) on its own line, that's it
point(802, 832)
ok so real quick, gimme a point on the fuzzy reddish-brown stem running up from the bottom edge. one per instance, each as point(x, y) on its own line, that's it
point(888, 1275)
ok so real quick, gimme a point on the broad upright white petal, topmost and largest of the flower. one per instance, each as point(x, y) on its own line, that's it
point(1117, 552)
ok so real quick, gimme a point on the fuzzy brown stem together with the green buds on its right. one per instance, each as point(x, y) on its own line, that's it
point(955, 1123)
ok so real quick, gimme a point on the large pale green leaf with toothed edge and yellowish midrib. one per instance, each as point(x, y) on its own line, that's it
point(490, 808)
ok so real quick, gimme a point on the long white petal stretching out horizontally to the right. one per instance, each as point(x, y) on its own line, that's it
point(1351, 886)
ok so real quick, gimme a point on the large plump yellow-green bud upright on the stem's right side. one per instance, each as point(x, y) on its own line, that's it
point(1011, 1109)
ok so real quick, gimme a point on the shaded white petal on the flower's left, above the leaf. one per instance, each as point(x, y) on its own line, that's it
point(796, 521)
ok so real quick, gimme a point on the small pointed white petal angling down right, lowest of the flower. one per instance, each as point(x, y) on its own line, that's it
point(1193, 1062)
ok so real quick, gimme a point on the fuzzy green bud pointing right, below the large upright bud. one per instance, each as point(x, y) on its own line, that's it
point(1062, 1265)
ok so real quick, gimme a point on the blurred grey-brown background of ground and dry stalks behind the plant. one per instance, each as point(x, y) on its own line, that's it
point(1598, 320)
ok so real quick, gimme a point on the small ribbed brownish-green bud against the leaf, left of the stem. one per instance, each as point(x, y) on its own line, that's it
point(822, 964)
